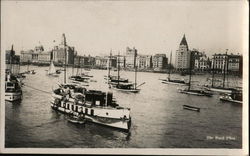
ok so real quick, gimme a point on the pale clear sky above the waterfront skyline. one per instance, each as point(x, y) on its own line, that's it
point(97, 27)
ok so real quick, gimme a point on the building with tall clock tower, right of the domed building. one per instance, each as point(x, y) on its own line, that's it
point(59, 52)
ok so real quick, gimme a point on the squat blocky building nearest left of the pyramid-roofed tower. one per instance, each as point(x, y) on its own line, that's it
point(159, 61)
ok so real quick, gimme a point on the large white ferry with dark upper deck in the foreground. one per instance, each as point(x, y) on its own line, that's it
point(97, 106)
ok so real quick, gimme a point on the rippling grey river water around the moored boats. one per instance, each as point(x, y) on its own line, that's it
point(158, 118)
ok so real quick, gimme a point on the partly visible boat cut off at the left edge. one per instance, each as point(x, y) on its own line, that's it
point(13, 91)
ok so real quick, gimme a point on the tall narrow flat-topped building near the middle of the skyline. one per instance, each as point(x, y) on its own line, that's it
point(130, 57)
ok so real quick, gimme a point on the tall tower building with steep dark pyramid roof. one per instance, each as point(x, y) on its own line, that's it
point(182, 59)
